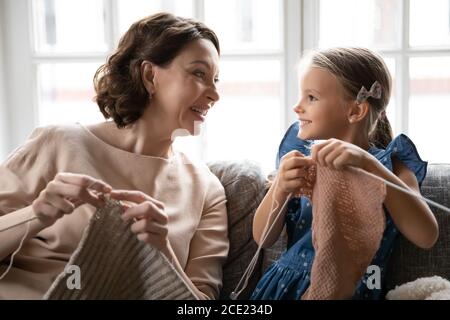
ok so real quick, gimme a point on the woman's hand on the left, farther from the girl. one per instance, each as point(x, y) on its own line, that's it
point(65, 193)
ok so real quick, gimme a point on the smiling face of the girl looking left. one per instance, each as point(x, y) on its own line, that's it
point(321, 110)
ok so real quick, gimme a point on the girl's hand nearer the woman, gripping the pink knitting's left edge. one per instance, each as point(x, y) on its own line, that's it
point(293, 173)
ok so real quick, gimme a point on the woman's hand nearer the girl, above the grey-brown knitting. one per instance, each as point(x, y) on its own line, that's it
point(150, 218)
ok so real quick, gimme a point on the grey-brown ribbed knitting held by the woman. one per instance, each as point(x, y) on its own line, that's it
point(113, 264)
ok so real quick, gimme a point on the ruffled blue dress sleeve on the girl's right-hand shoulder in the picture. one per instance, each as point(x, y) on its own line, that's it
point(404, 150)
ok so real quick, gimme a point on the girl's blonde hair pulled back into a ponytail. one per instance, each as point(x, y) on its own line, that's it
point(355, 68)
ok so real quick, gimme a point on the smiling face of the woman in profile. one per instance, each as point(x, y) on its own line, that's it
point(185, 90)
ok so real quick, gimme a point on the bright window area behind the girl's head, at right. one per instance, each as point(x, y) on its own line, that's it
point(414, 38)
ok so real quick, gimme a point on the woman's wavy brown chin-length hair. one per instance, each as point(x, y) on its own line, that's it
point(158, 38)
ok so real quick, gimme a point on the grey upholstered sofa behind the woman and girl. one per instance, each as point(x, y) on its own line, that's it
point(245, 187)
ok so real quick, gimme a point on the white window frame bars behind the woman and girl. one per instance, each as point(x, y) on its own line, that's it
point(300, 31)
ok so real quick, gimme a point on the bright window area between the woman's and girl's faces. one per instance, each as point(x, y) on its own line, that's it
point(250, 81)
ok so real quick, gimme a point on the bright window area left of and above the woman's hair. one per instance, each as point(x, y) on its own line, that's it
point(67, 53)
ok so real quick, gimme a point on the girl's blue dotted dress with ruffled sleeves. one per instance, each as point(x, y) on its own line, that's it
point(288, 277)
